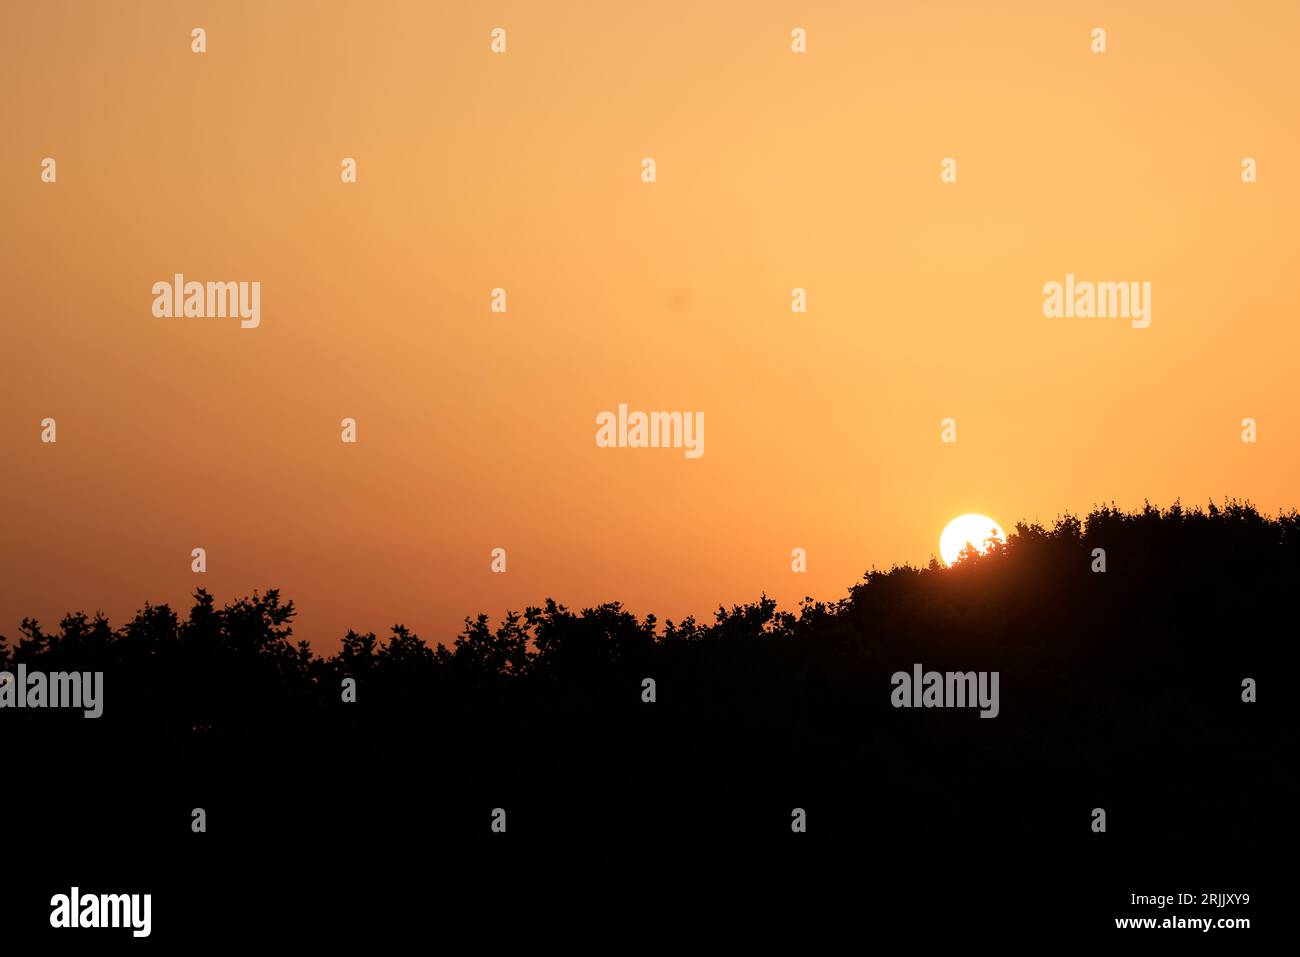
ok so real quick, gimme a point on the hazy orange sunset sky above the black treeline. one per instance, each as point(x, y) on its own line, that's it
point(522, 171)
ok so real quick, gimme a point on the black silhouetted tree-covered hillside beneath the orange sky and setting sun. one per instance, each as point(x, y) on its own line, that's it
point(1119, 690)
